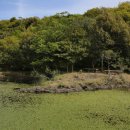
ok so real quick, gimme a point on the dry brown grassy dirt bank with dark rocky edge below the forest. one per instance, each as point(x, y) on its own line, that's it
point(76, 82)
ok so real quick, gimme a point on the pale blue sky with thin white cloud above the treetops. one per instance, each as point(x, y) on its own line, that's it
point(41, 8)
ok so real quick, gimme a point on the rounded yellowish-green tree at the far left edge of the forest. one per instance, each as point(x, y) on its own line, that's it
point(9, 47)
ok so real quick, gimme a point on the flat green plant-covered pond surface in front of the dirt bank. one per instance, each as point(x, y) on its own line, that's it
point(99, 110)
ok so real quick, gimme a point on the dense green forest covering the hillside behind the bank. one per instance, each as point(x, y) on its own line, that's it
point(100, 38)
